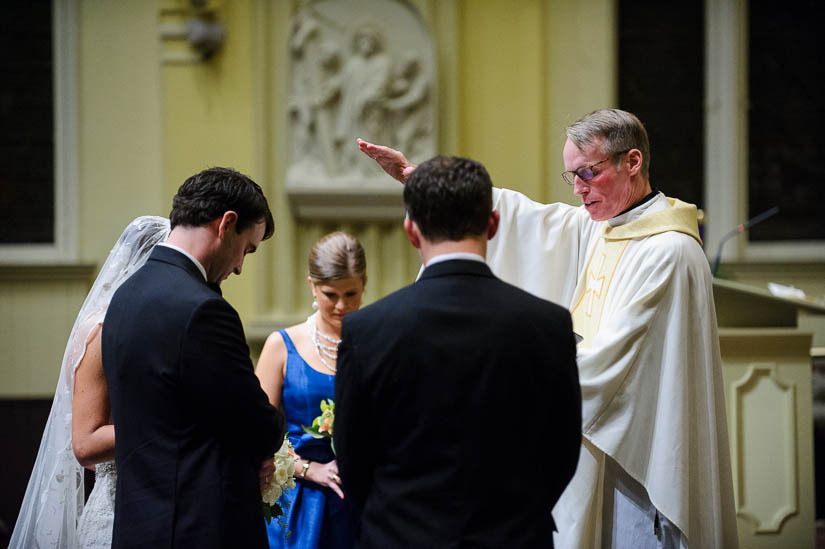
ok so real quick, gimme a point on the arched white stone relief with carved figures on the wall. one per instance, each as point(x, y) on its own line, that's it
point(358, 68)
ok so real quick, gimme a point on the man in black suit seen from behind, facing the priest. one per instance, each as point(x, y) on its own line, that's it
point(458, 407)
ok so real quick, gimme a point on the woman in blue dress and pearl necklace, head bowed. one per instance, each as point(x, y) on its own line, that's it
point(297, 370)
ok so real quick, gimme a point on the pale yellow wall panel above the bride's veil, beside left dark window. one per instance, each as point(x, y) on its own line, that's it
point(119, 121)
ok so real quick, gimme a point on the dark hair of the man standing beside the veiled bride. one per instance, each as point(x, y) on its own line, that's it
point(207, 195)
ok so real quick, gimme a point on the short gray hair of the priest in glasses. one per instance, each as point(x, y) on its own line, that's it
point(621, 131)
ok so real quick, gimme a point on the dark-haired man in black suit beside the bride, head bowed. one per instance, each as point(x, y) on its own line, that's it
point(195, 433)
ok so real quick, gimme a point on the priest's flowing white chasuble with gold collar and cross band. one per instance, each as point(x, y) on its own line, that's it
point(640, 292)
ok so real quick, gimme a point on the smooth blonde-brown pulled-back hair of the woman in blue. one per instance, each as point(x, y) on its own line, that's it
point(337, 256)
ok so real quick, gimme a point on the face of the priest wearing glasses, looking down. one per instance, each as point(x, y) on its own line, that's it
point(611, 190)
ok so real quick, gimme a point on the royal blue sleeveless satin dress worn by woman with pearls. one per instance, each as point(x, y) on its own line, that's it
point(316, 516)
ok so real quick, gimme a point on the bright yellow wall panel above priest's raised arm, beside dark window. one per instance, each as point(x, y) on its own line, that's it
point(502, 92)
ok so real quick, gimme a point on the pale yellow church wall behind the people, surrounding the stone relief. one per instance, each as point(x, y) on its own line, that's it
point(511, 76)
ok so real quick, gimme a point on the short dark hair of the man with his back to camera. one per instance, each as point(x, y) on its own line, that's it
point(449, 198)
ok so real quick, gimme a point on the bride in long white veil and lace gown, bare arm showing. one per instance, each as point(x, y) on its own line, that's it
point(79, 432)
